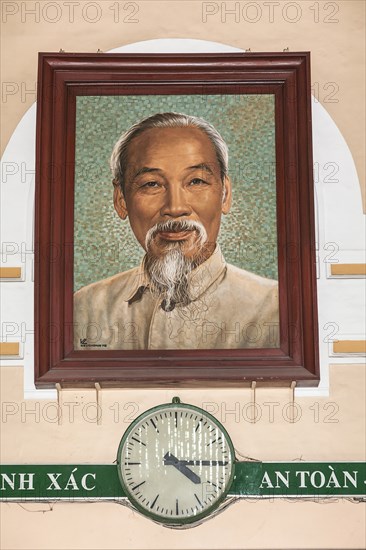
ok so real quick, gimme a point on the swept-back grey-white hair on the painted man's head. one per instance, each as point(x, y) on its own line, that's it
point(118, 162)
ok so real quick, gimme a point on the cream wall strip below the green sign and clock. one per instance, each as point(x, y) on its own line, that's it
point(268, 524)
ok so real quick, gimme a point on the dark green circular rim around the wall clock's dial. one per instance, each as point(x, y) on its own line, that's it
point(155, 517)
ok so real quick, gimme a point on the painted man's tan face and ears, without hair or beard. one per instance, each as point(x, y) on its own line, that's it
point(173, 175)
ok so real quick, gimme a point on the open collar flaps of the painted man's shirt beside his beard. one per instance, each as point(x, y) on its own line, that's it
point(200, 279)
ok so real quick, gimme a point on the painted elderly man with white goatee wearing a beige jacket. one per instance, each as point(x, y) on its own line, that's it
point(171, 182)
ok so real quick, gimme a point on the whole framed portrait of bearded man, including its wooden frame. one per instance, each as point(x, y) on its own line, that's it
point(175, 220)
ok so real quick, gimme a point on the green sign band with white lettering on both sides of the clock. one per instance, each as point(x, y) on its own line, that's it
point(251, 479)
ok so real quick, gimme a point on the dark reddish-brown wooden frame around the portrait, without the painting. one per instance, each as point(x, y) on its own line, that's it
point(62, 77)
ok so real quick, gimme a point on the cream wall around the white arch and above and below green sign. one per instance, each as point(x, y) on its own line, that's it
point(337, 57)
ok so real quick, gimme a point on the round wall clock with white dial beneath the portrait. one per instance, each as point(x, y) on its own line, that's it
point(176, 463)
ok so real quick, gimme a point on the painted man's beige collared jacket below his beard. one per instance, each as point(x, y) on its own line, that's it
point(229, 308)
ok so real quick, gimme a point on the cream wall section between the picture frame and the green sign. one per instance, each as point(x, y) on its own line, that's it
point(329, 428)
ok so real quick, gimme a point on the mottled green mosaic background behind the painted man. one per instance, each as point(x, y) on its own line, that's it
point(105, 245)
